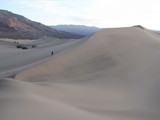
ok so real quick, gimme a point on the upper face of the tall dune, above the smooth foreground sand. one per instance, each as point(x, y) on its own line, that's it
point(120, 50)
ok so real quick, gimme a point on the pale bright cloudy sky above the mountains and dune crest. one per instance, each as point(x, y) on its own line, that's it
point(99, 13)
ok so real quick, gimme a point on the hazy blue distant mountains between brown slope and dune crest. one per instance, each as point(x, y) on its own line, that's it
point(77, 29)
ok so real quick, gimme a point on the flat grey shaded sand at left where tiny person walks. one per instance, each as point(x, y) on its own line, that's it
point(13, 60)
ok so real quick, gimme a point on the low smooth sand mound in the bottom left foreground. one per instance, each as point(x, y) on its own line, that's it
point(19, 102)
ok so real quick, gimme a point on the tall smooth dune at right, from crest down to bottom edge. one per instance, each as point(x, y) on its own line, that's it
point(121, 64)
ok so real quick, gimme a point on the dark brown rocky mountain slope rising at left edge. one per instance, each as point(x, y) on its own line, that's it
point(18, 27)
